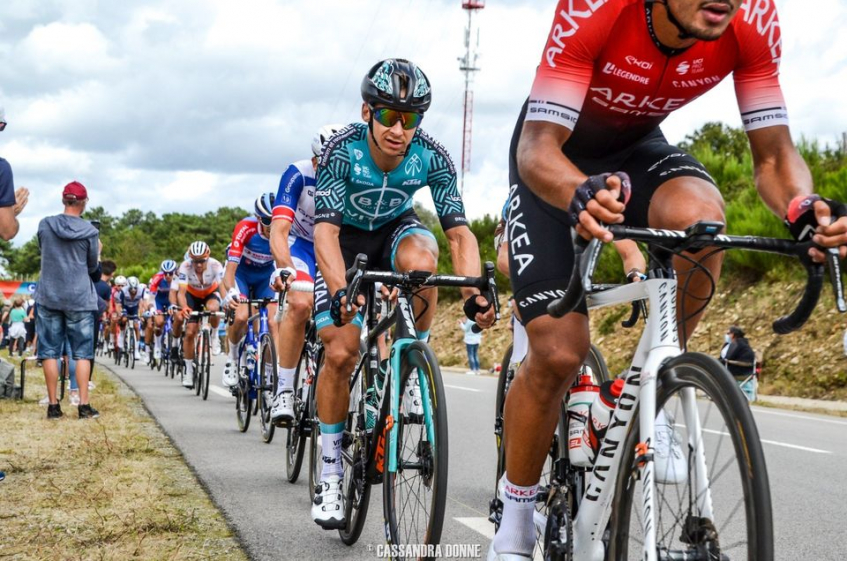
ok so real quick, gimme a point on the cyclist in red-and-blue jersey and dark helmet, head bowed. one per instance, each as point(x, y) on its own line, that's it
point(249, 267)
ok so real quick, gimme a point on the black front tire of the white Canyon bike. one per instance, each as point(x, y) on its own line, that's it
point(709, 379)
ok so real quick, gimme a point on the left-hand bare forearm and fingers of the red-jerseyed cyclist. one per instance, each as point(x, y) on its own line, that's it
point(554, 178)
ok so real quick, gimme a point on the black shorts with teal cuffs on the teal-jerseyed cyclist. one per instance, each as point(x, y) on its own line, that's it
point(379, 245)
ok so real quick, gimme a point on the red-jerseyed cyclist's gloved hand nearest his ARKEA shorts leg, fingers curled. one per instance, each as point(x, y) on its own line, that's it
point(601, 198)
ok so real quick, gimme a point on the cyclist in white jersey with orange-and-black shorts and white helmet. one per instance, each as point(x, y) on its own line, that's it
point(199, 287)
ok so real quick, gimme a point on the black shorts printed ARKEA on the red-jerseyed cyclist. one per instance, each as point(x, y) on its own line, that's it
point(540, 248)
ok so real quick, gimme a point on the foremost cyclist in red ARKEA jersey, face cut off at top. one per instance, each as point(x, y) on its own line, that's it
point(608, 77)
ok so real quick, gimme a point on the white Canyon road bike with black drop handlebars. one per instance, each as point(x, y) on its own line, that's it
point(622, 509)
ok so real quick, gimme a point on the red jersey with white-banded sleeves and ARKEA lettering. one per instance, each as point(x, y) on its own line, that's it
point(603, 76)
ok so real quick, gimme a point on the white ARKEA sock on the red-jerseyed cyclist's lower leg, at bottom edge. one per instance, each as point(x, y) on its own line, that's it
point(517, 531)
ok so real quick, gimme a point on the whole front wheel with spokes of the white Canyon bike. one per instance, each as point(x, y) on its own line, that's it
point(740, 524)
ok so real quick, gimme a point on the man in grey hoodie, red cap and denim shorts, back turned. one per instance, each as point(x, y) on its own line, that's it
point(65, 295)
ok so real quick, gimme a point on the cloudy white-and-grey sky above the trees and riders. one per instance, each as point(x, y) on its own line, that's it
point(187, 105)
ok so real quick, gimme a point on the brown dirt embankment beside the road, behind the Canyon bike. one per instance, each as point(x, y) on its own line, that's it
point(808, 363)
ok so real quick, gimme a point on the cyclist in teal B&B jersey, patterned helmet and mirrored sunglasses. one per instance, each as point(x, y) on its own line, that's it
point(367, 176)
